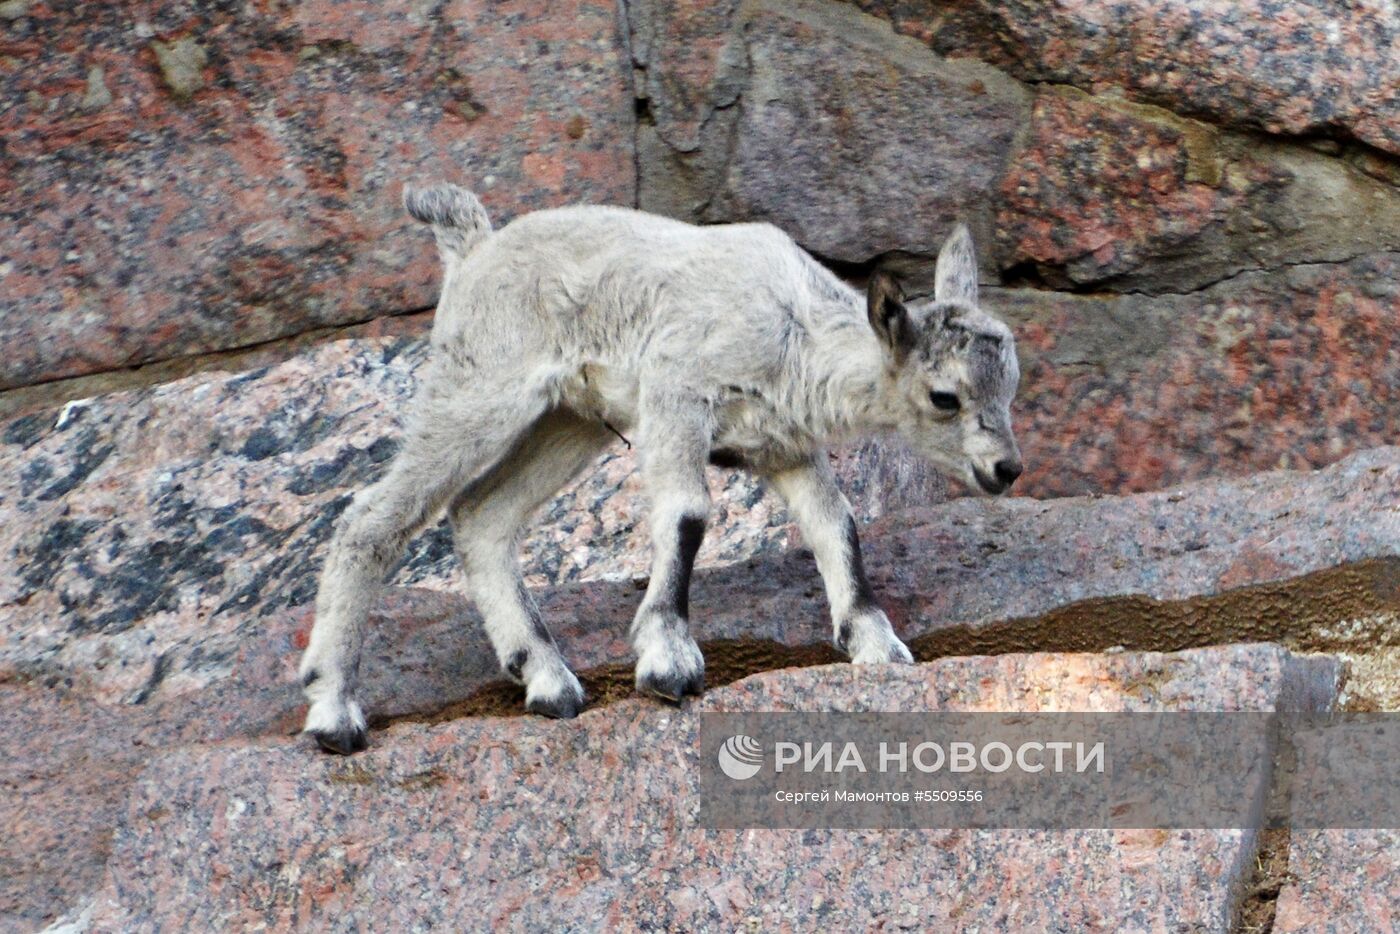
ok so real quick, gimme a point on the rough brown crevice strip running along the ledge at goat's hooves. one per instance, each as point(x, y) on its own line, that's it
point(1297, 613)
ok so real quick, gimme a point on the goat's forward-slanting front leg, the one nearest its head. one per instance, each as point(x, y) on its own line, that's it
point(860, 627)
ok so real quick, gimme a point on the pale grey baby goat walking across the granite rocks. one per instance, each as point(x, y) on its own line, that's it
point(724, 345)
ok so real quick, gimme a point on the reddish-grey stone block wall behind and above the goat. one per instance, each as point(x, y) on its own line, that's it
point(1192, 209)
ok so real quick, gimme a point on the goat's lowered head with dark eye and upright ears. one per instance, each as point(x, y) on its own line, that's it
point(953, 372)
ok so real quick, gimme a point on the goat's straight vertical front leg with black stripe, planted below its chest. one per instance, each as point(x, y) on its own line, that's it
point(675, 445)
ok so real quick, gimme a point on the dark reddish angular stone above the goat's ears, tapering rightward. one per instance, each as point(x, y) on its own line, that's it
point(1135, 198)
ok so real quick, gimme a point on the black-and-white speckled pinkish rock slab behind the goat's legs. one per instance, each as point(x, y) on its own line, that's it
point(166, 523)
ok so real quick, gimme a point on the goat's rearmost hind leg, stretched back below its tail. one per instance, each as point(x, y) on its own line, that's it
point(450, 442)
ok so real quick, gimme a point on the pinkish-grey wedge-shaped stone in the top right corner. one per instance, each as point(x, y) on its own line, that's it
point(1310, 68)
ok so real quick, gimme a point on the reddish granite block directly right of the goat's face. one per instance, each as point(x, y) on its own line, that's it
point(1296, 368)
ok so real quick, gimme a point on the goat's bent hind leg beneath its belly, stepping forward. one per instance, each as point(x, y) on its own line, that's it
point(486, 522)
